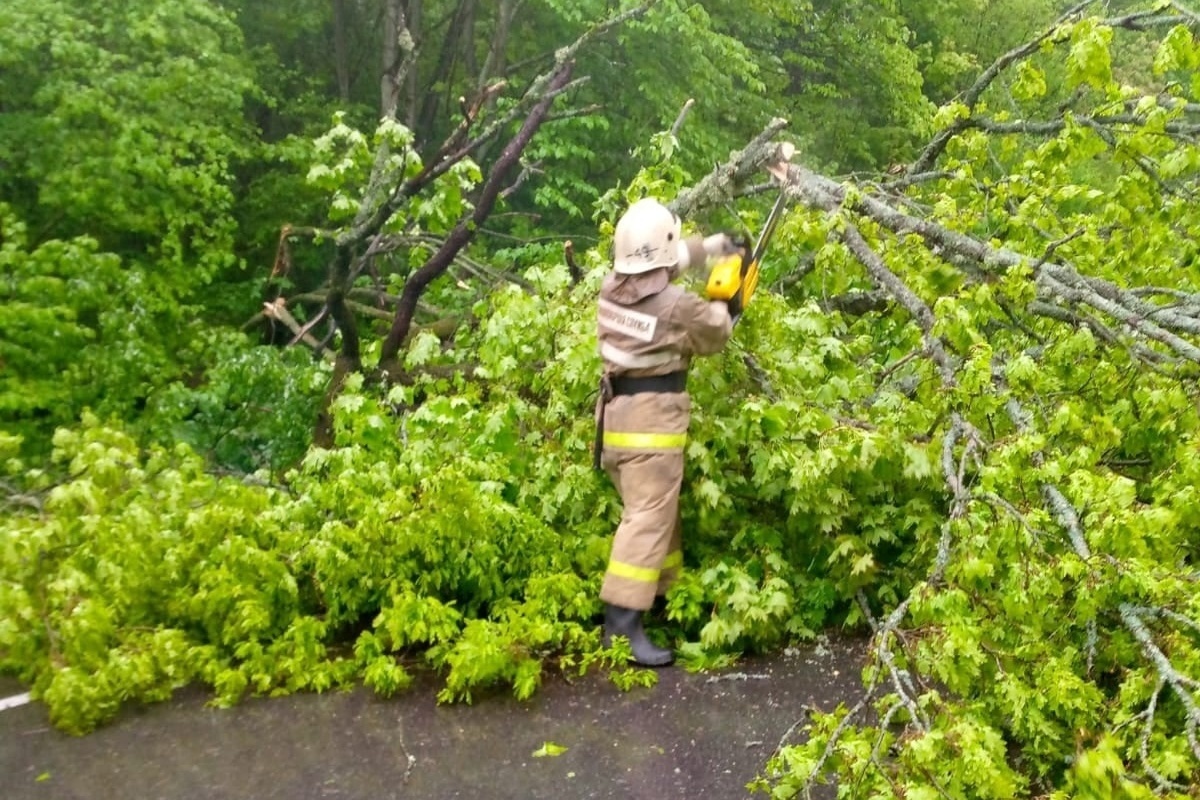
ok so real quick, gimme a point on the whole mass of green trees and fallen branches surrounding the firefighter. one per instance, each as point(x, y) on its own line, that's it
point(298, 360)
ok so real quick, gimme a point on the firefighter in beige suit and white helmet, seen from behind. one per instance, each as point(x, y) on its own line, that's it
point(649, 332)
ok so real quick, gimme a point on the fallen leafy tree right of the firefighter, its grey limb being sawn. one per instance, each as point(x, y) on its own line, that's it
point(1051, 646)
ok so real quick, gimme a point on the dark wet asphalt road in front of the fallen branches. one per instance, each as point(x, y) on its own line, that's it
point(693, 736)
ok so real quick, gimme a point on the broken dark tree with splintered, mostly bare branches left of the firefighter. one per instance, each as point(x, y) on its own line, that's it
point(407, 191)
